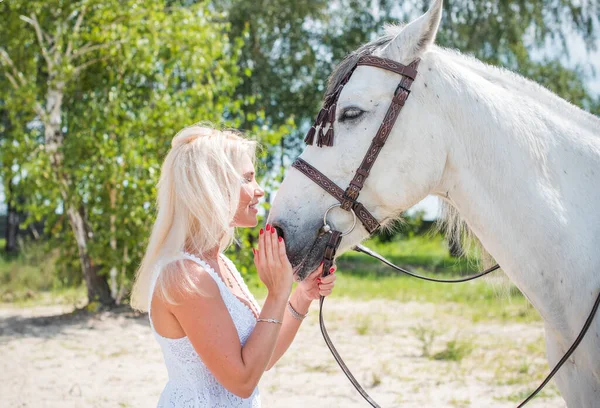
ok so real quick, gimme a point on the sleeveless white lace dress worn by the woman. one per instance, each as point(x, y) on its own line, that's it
point(191, 384)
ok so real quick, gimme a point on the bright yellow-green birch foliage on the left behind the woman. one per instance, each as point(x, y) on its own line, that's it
point(143, 71)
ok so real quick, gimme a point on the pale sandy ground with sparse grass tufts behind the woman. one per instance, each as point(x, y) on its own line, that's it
point(50, 358)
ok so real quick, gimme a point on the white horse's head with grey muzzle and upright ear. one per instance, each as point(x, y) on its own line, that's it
point(407, 169)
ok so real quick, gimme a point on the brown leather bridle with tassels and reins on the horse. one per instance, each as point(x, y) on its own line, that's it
point(348, 200)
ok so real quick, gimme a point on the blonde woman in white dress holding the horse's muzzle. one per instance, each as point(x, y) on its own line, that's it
point(216, 340)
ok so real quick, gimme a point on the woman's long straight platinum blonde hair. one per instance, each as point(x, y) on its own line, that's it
point(197, 198)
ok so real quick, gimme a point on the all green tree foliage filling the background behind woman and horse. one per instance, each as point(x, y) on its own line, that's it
point(135, 72)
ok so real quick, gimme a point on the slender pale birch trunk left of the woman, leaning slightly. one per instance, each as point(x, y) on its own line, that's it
point(97, 285)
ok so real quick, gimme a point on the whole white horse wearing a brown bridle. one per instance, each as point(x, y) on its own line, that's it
point(519, 164)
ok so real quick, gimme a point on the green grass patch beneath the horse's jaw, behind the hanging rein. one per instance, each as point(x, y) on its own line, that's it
point(363, 278)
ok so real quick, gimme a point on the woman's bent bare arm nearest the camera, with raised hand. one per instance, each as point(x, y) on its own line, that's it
point(209, 327)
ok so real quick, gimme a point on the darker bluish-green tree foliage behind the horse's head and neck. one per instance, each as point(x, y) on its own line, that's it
point(292, 46)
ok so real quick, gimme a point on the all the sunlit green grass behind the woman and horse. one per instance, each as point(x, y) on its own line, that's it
point(30, 279)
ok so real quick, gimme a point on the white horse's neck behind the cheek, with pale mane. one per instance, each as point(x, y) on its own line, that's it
point(520, 174)
